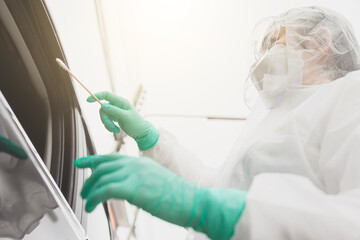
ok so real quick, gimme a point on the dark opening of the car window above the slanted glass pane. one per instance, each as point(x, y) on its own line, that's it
point(19, 90)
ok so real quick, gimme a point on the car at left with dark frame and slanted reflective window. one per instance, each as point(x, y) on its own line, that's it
point(40, 110)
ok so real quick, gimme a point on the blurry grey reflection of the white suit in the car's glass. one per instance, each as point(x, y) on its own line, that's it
point(24, 198)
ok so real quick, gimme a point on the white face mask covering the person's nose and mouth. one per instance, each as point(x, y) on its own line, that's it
point(279, 69)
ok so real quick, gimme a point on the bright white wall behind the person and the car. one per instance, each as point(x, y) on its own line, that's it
point(191, 56)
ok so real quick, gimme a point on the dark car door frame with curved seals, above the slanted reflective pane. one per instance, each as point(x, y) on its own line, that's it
point(43, 99)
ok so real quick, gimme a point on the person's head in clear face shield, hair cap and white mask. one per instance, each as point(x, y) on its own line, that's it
point(304, 47)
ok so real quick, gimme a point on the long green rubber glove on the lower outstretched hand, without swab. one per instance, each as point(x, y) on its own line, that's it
point(152, 187)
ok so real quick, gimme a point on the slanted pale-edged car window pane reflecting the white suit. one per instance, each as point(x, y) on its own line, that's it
point(32, 205)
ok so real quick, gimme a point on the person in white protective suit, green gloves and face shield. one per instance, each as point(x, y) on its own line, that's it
point(294, 173)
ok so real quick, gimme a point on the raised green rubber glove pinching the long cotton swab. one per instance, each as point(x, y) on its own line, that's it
point(121, 111)
